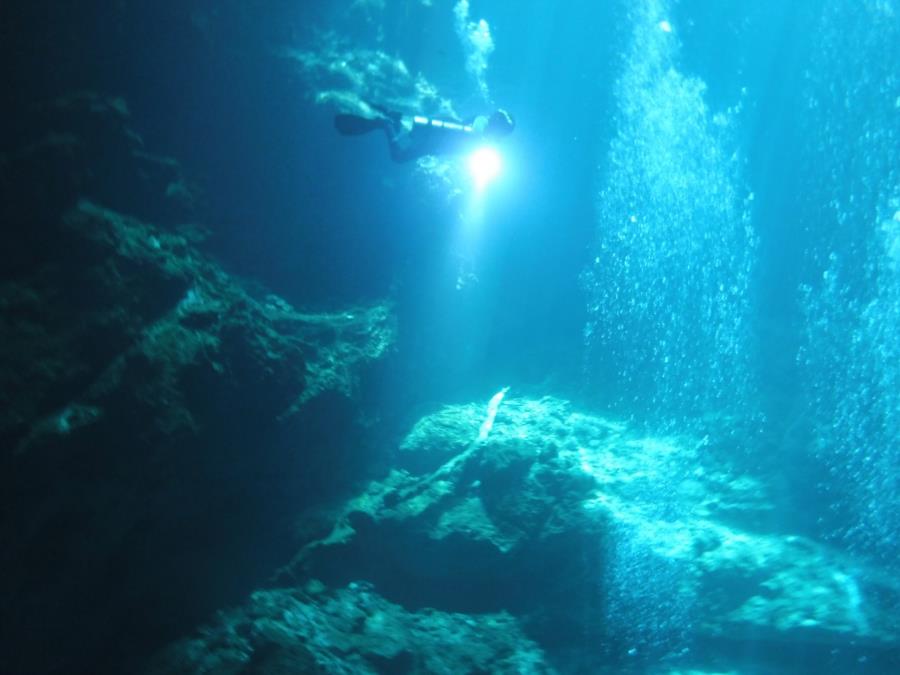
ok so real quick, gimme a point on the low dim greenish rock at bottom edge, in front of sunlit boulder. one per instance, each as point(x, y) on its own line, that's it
point(350, 630)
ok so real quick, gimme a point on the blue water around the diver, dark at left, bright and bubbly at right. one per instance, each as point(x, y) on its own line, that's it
point(696, 228)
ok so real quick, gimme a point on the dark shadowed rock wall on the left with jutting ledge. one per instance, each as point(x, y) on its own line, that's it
point(161, 421)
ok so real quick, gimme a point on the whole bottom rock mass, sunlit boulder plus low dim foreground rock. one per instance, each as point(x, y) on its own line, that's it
point(532, 524)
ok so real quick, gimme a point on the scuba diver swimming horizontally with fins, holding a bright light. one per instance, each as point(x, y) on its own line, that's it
point(413, 136)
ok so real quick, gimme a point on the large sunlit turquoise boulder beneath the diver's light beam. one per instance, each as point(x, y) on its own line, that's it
point(581, 527)
